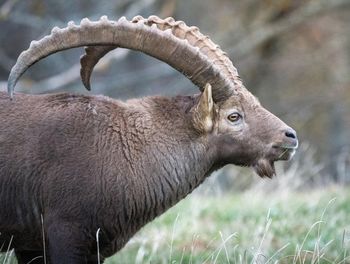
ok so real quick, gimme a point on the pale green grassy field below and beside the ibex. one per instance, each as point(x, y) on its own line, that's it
point(253, 227)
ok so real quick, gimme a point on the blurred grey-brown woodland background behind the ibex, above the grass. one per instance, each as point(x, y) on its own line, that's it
point(293, 54)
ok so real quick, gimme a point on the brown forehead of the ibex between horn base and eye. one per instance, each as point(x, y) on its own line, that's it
point(243, 99)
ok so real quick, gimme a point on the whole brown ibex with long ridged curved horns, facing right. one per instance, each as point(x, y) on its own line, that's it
point(74, 167)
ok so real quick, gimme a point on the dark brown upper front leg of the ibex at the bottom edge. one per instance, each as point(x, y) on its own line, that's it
point(67, 243)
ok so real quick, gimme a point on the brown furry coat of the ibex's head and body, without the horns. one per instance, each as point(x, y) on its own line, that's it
point(83, 163)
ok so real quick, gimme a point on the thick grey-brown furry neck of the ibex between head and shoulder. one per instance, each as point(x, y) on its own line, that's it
point(177, 160)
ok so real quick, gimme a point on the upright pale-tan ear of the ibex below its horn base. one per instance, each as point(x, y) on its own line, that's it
point(204, 112)
